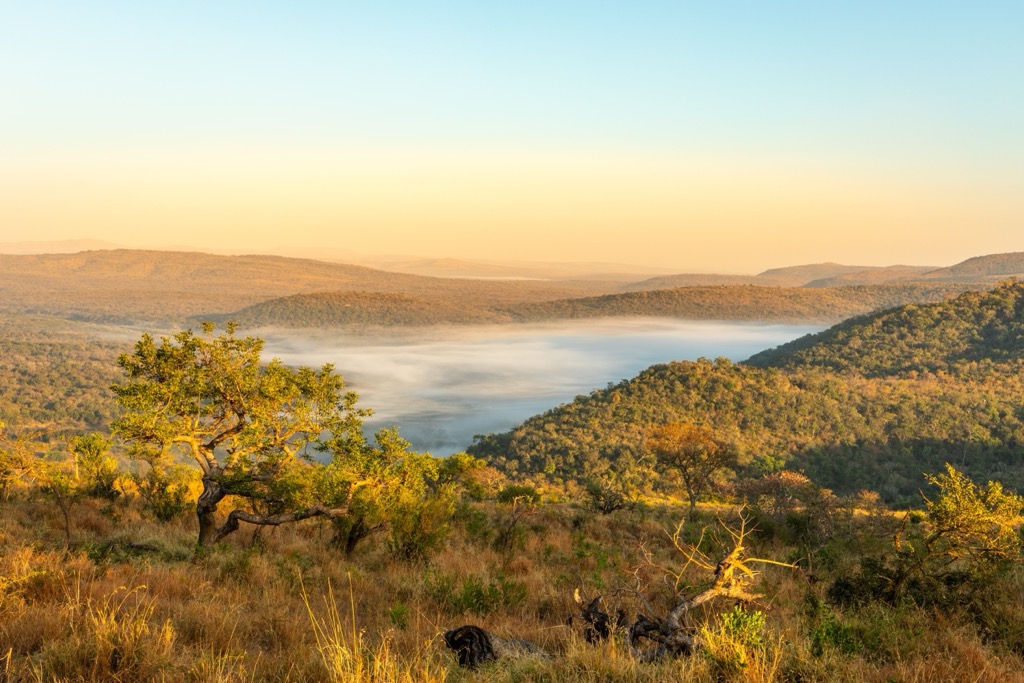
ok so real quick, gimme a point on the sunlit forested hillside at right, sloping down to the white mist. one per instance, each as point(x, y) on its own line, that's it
point(871, 404)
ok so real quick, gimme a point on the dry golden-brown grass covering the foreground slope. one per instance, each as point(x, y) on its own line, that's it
point(130, 603)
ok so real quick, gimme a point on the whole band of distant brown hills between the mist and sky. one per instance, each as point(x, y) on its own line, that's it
point(129, 286)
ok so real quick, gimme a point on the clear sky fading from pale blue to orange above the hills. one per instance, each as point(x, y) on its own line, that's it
point(696, 137)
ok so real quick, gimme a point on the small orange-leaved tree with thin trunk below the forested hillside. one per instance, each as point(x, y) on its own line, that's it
point(693, 454)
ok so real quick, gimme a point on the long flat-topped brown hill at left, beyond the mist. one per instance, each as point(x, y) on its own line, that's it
point(129, 286)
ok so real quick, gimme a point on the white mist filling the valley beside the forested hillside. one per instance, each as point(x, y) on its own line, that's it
point(443, 387)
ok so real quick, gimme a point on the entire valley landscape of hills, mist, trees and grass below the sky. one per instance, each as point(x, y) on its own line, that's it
point(828, 437)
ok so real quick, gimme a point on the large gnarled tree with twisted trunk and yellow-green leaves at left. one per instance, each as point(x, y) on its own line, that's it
point(250, 428)
